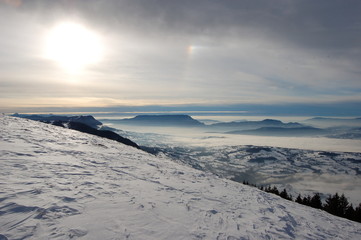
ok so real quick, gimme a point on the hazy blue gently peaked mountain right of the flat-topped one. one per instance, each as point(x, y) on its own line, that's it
point(245, 125)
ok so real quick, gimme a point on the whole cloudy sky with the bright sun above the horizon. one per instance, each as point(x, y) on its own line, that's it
point(296, 57)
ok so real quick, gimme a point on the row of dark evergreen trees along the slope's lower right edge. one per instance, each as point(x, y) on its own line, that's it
point(334, 204)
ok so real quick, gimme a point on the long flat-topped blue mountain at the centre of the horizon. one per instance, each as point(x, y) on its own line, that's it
point(163, 120)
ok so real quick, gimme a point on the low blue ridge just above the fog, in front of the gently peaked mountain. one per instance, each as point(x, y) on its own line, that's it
point(282, 131)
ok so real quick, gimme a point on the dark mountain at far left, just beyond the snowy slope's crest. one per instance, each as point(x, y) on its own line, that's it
point(88, 120)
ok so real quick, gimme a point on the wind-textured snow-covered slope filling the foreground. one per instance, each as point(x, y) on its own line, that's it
point(57, 183)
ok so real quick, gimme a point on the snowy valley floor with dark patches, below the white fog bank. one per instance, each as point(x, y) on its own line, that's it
point(300, 171)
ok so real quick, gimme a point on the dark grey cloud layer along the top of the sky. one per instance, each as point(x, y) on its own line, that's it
point(328, 29)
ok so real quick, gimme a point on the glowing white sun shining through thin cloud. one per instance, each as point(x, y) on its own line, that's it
point(73, 46)
